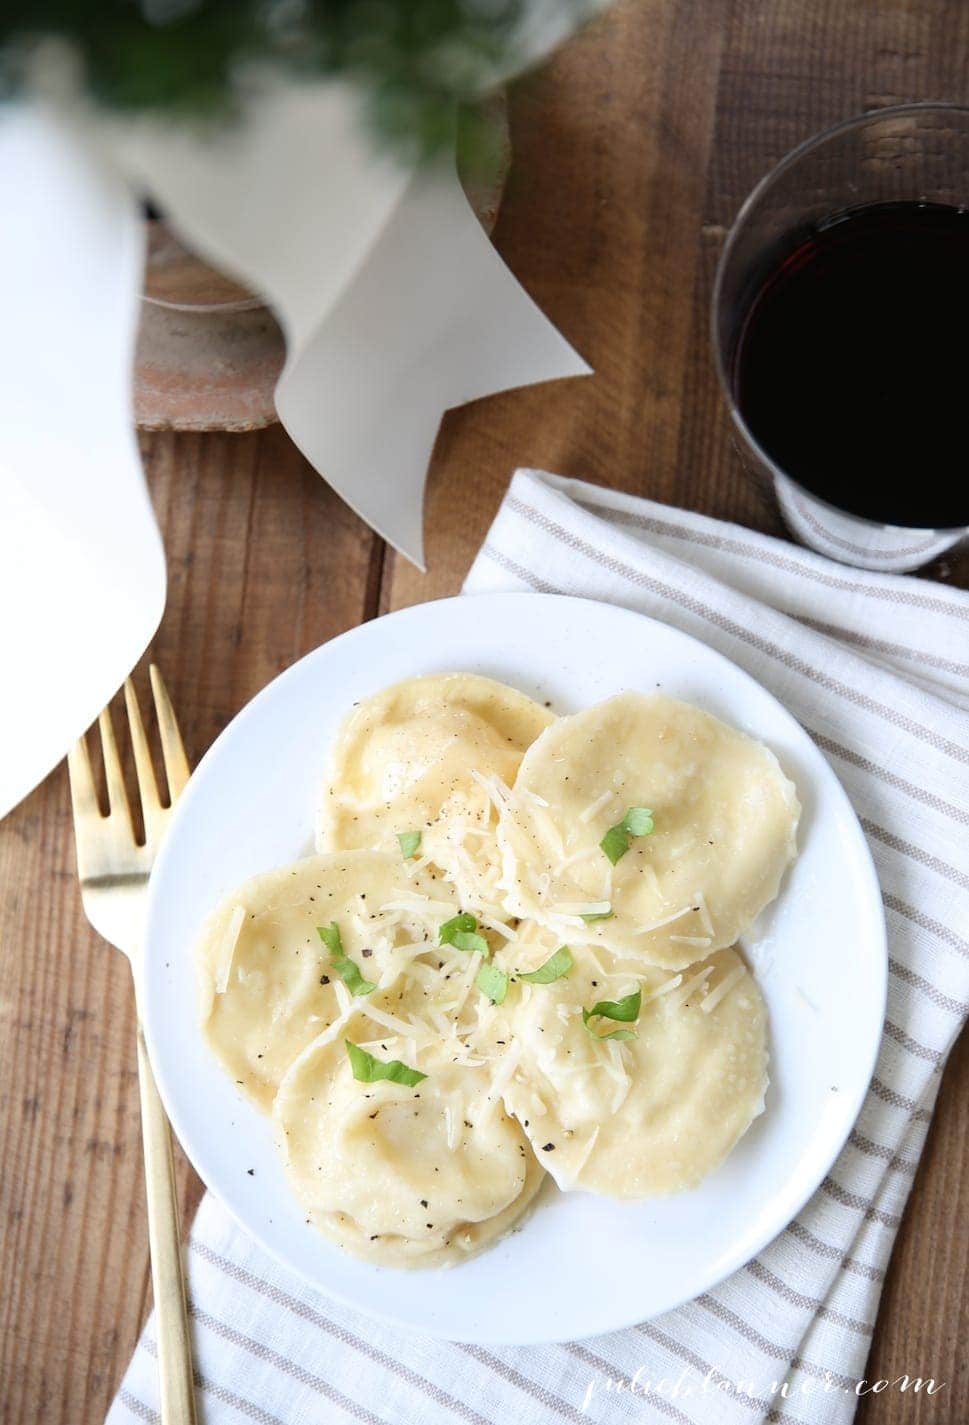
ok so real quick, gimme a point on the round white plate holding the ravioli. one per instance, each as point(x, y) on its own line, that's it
point(819, 953)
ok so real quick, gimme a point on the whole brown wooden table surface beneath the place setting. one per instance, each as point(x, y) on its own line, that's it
point(633, 150)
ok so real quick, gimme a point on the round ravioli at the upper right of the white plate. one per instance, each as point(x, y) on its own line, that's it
point(725, 822)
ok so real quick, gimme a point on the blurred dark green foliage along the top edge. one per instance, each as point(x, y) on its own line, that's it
point(420, 61)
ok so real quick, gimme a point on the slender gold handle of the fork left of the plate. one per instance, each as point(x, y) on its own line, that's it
point(169, 1285)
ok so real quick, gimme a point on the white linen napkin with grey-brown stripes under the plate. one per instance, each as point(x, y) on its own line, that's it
point(870, 663)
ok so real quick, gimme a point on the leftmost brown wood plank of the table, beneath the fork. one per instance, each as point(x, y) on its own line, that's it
point(264, 565)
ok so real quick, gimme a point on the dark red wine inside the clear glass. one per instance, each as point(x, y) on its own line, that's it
point(851, 363)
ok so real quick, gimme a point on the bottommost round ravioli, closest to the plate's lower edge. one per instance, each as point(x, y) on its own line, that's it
point(405, 1176)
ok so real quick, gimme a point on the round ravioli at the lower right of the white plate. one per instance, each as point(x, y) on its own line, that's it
point(645, 1116)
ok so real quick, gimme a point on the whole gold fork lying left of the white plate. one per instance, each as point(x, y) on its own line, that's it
point(113, 871)
